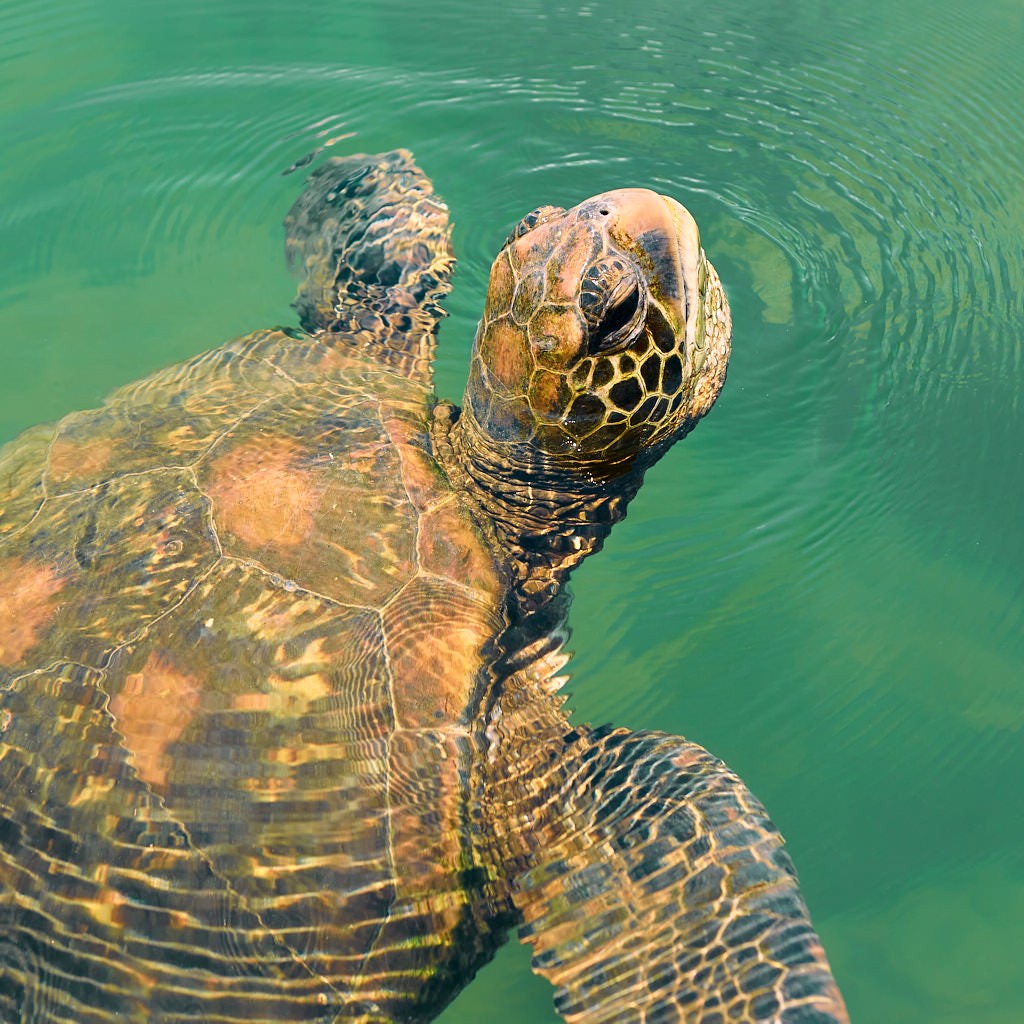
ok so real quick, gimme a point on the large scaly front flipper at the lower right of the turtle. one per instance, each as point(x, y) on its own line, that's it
point(661, 892)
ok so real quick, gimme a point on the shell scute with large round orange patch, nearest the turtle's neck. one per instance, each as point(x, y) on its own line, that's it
point(312, 487)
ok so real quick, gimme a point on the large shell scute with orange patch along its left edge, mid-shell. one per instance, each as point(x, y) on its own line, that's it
point(278, 764)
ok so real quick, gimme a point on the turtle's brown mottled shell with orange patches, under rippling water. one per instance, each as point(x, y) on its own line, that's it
point(223, 726)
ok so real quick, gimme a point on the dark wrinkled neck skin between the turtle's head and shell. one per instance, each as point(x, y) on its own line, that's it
point(544, 520)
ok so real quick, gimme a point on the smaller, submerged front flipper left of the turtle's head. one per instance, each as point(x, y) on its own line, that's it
point(372, 239)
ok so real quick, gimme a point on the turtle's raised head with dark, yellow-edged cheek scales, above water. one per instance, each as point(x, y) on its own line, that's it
point(606, 333)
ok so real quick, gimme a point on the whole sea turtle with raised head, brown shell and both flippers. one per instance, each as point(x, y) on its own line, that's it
point(281, 636)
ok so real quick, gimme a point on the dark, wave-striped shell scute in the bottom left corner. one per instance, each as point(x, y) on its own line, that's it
point(107, 859)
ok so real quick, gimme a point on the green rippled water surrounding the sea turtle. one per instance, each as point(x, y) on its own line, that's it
point(826, 584)
